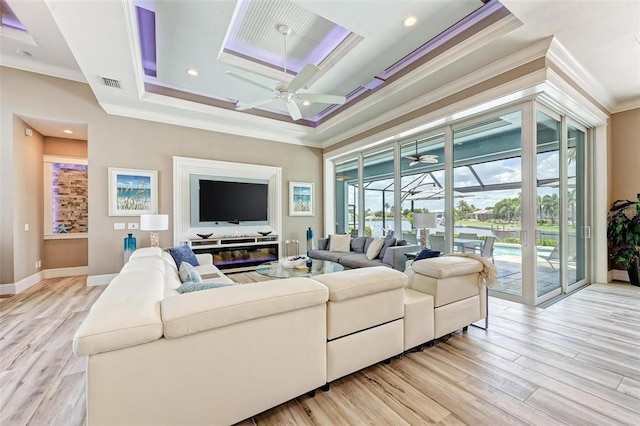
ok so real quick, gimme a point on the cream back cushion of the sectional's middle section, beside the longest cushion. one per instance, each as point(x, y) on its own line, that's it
point(361, 282)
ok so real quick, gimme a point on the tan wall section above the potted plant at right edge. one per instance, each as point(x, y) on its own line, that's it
point(625, 164)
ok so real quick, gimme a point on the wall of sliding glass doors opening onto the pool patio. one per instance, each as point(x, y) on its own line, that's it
point(510, 186)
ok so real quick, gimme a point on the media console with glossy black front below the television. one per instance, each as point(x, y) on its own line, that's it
point(238, 253)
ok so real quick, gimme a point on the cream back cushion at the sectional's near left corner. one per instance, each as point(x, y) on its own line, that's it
point(127, 313)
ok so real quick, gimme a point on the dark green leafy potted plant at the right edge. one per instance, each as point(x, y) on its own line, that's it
point(623, 234)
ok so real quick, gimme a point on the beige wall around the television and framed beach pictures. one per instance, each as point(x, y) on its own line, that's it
point(124, 142)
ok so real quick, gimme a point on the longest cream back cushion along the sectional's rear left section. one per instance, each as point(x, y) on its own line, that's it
point(191, 313)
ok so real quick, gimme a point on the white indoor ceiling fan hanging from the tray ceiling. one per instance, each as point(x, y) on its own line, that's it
point(288, 91)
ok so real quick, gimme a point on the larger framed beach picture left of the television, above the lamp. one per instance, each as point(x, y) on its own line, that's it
point(132, 192)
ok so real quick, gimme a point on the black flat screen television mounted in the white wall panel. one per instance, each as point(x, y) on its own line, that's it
point(233, 202)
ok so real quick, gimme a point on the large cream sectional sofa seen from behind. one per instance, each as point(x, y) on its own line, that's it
point(222, 355)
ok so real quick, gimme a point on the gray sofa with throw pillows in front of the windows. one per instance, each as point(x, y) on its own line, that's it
point(391, 256)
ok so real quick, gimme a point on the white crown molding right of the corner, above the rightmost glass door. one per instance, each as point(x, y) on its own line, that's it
point(565, 62)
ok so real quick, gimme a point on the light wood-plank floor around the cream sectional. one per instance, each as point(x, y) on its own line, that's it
point(576, 362)
